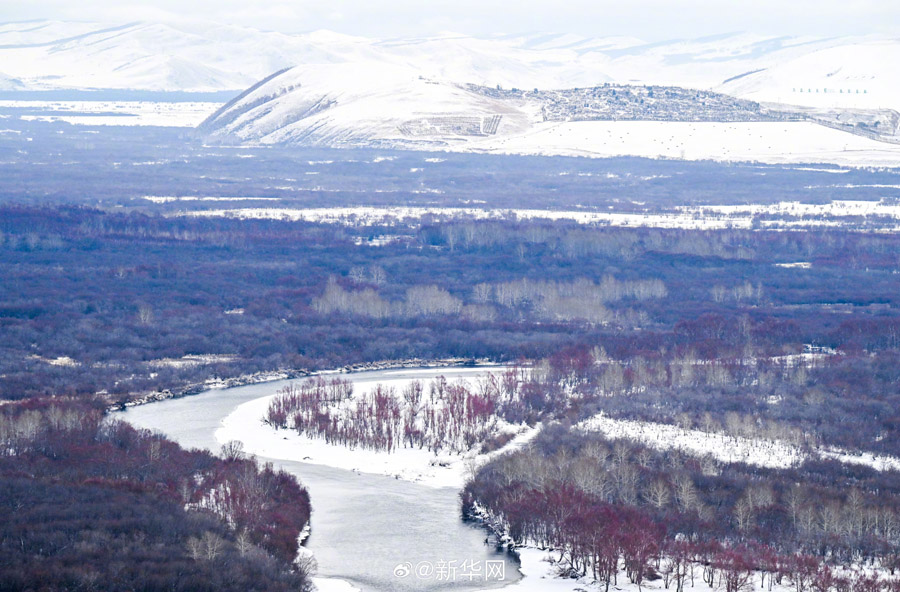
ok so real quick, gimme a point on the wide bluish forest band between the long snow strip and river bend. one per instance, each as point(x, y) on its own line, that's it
point(94, 301)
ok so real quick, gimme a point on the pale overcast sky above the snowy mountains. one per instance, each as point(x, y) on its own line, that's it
point(651, 20)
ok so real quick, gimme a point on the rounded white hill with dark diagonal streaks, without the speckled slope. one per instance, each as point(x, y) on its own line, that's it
point(358, 104)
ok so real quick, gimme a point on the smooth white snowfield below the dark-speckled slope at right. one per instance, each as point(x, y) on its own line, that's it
point(769, 142)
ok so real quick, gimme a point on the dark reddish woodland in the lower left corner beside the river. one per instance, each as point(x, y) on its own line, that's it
point(91, 503)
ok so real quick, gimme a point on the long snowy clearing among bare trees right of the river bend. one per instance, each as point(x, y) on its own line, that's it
point(763, 453)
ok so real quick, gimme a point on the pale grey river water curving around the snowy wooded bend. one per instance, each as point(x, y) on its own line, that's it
point(374, 532)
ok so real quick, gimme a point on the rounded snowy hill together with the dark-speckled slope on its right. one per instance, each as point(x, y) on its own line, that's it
point(397, 106)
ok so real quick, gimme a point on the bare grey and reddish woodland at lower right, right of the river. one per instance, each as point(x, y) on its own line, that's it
point(610, 506)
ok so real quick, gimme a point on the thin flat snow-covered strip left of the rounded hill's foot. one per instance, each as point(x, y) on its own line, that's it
point(150, 113)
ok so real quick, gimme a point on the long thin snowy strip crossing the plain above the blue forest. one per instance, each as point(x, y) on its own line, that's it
point(885, 216)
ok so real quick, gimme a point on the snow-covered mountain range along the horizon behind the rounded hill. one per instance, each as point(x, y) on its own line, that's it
point(210, 57)
